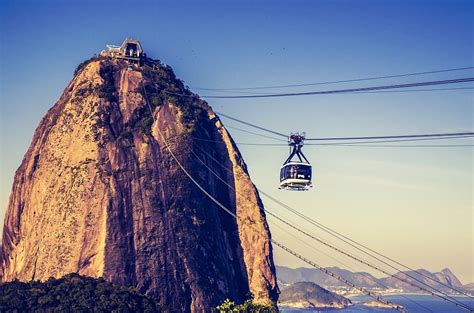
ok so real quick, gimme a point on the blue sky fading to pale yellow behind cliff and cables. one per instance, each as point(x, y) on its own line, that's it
point(414, 204)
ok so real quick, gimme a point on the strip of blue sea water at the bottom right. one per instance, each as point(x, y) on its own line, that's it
point(429, 303)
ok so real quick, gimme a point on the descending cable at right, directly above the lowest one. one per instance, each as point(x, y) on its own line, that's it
point(439, 293)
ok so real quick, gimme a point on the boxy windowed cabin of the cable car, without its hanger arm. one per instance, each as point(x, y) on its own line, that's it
point(295, 176)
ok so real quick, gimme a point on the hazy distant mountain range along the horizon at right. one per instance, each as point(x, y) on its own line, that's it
point(291, 275)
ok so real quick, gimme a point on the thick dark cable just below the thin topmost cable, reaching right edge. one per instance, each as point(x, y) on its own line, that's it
point(335, 91)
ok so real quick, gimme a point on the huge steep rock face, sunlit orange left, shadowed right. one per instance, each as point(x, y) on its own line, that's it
point(99, 194)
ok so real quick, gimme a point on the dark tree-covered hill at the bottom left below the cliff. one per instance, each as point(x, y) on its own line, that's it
point(73, 293)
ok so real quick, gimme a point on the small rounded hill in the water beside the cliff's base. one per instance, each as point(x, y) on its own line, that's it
point(308, 295)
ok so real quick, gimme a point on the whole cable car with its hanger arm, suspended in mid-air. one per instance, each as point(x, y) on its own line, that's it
point(296, 175)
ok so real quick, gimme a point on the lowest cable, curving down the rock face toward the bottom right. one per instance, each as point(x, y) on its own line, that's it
point(299, 256)
